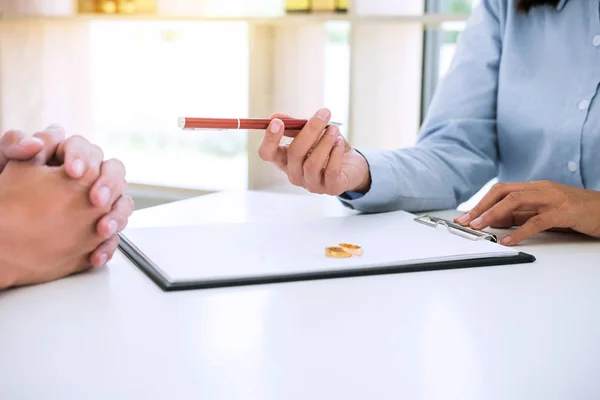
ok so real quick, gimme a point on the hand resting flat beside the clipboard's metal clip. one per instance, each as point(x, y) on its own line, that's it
point(536, 207)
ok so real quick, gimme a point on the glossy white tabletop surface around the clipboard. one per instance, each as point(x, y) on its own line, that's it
point(527, 331)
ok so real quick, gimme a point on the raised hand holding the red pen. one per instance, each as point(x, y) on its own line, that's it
point(318, 159)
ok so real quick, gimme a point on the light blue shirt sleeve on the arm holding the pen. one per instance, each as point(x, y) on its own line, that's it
point(456, 153)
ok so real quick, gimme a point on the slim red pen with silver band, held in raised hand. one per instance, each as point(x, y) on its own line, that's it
point(238, 123)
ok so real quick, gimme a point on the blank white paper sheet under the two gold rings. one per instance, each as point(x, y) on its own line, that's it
point(268, 248)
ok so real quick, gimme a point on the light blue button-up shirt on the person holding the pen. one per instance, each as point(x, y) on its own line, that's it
point(518, 103)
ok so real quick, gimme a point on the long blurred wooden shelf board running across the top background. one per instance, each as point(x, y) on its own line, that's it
point(426, 19)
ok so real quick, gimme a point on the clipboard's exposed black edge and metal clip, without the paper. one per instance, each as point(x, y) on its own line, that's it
point(154, 272)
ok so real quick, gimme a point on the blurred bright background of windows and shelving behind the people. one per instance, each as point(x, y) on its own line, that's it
point(120, 72)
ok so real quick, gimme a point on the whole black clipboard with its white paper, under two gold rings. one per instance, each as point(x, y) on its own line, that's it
point(458, 247)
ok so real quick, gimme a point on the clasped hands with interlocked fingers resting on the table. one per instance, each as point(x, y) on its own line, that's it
point(61, 206)
